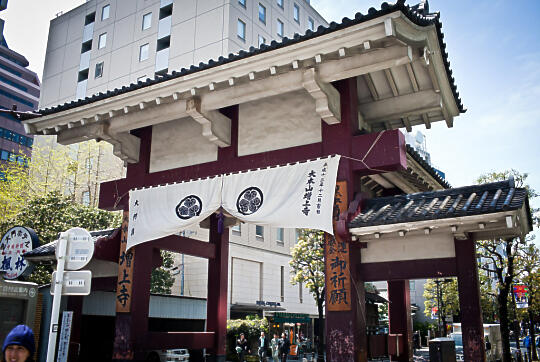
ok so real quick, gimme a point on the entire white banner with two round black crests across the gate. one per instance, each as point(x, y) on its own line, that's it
point(292, 196)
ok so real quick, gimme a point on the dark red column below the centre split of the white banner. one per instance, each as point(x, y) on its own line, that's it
point(216, 304)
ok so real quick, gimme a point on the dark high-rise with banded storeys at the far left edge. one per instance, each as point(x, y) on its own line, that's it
point(19, 87)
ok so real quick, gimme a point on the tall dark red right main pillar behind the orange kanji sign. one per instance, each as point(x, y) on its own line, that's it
point(346, 338)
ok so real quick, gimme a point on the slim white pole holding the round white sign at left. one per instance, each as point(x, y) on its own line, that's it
point(53, 330)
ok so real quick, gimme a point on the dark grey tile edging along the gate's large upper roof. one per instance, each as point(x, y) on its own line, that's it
point(414, 14)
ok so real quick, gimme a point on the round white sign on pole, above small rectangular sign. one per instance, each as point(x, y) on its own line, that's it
point(80, 248)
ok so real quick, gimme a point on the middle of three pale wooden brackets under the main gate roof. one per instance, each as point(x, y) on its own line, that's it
point(216, 127)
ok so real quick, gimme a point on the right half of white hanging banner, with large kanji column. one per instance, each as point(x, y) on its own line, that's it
point(293, 196)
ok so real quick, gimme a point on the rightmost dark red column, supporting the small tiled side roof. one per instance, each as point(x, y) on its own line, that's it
point(469, 301)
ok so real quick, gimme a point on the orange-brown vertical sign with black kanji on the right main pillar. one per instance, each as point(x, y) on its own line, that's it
point(336, 258)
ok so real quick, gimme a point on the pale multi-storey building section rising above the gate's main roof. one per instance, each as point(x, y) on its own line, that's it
point(106, 44)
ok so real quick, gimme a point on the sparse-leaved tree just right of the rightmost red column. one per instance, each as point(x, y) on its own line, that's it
point(499, 258)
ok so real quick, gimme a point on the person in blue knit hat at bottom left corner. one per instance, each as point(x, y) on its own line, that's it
point(19, 345)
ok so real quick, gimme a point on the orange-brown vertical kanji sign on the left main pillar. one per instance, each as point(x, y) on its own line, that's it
point(125, 270)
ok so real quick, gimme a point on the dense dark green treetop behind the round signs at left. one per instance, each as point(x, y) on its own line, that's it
point(53, 213)
